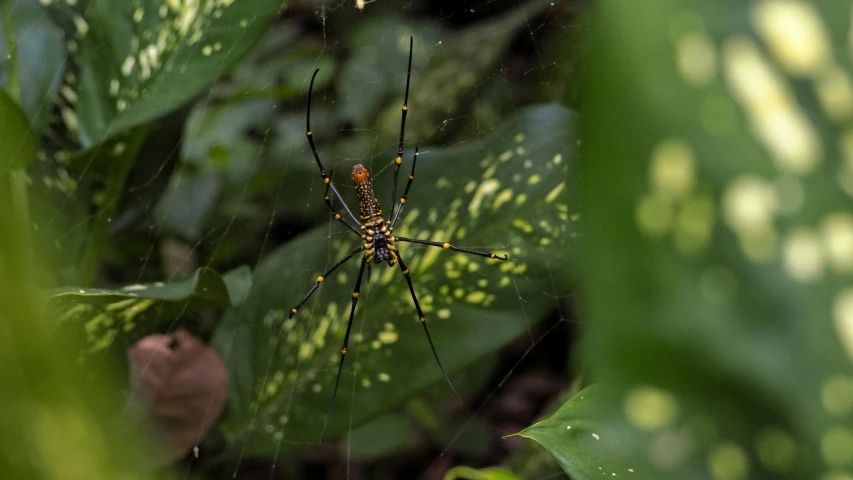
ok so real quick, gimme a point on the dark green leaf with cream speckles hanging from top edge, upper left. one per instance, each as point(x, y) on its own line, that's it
point(137, 61)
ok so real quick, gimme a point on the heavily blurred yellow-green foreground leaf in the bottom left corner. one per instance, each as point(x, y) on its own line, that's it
point(58, 421)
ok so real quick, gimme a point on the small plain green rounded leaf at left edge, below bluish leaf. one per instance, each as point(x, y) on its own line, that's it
point(17, 141)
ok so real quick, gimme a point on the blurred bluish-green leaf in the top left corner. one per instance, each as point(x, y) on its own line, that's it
point(39, 60)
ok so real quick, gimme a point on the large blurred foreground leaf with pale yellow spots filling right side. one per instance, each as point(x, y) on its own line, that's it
point(718, 239)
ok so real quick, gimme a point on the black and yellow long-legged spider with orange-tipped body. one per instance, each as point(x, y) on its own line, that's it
point(377, 234)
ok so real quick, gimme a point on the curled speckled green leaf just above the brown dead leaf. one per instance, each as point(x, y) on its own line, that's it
point(105, 315)
